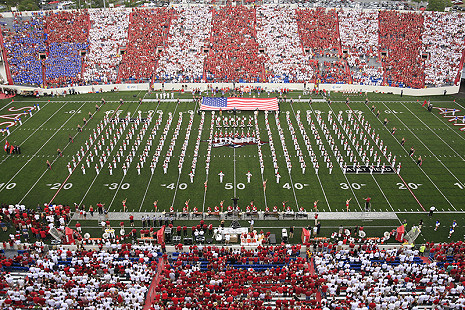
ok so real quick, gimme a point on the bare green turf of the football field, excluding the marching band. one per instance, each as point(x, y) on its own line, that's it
point(25, 179)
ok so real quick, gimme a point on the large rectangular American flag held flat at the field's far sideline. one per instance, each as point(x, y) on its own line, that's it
point(209, 103)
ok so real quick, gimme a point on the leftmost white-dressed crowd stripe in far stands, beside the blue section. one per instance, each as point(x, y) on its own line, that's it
point(106, 36)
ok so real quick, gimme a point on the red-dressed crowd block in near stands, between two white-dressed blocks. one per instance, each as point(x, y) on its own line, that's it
point(208, 277)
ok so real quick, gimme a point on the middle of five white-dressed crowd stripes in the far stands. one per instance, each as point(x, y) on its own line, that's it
point(277, 33)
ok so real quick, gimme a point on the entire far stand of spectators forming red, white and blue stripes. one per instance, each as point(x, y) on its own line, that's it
point(234, 44)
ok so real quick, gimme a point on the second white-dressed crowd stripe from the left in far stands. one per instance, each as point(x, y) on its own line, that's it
point(189, 35)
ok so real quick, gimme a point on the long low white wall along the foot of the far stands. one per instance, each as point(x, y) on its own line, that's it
point(266, 86)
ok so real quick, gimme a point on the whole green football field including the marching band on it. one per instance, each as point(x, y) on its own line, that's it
point(243, 150)
